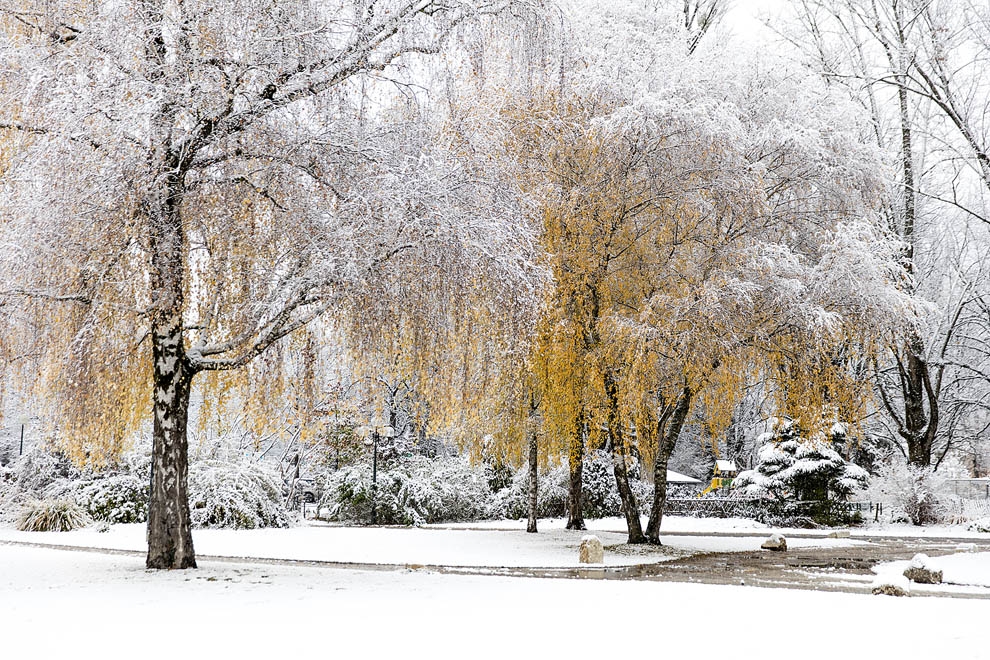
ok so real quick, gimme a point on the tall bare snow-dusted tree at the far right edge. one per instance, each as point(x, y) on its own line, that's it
point(918, 70)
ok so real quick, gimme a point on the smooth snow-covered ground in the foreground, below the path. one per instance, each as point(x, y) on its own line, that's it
point(59, 604)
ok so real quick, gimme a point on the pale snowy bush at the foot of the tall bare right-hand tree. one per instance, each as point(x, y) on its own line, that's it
point(915, 494)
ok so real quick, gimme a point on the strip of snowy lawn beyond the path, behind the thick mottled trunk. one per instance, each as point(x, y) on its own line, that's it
point(511, 547)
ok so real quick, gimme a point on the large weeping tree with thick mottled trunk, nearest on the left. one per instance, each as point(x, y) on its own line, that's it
point(180, 200)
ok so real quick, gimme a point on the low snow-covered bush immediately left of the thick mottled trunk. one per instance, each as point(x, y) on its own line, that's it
point(119, 498)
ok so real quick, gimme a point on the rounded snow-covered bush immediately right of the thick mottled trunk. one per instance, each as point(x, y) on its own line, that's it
point(237, 495)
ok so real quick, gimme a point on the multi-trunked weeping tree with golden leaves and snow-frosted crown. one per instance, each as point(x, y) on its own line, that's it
point(702, 229)
